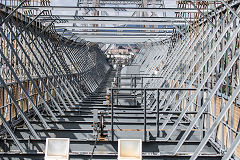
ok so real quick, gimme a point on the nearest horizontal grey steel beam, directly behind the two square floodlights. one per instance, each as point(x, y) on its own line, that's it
point(105, 149)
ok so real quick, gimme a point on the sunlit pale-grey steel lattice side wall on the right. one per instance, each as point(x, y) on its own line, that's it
point(207, 59)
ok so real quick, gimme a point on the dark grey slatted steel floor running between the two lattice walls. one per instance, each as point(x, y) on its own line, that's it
point(77, 124)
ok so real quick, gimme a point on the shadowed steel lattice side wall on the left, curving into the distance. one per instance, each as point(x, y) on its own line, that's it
point(40, 69)
